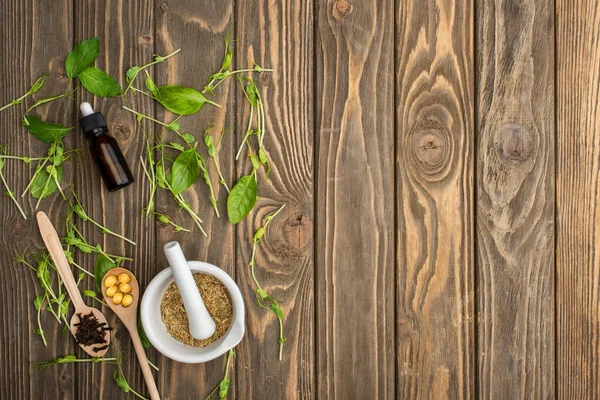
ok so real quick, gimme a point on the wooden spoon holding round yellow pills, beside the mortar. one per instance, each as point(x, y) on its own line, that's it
point(129, 317)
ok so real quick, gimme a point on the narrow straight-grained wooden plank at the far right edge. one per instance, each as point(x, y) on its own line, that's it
point(577, 196)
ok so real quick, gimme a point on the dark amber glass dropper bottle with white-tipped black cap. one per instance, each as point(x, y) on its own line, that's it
point(105, 150)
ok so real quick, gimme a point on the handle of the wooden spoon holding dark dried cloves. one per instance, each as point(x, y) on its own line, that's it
point(52, 242)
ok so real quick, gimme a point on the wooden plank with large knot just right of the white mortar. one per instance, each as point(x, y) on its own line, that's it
point(279, 35)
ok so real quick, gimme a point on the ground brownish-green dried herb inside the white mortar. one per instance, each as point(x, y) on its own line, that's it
point(218, 303)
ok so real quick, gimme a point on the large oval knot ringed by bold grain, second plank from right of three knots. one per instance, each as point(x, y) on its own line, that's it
point(431, 148)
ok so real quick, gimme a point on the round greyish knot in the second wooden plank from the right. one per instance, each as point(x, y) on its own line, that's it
point(516, 143)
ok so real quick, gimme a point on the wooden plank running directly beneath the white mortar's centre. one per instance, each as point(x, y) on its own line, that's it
point(199, 29)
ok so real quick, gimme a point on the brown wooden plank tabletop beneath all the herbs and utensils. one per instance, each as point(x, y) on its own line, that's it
point(439, 161)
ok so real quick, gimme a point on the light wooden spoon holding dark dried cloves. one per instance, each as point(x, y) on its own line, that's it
point(52, 242)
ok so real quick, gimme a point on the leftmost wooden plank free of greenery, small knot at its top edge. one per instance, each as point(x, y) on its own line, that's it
point(355, 201)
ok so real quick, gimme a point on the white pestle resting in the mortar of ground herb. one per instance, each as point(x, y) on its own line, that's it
point(201, 324)
